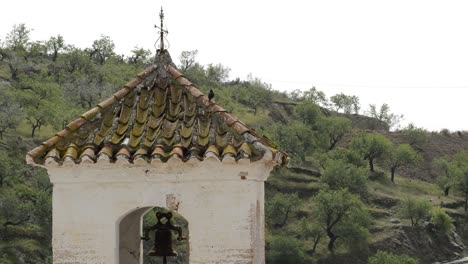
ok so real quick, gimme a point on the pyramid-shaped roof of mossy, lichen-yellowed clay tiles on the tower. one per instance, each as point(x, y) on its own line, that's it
point(158, 116)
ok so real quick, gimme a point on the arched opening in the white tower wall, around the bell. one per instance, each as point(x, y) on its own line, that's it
point(134, 250)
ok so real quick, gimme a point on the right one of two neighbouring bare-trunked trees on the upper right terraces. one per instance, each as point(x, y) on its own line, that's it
point(401, 156)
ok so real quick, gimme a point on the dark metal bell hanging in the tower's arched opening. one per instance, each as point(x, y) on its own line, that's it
point(163, 236)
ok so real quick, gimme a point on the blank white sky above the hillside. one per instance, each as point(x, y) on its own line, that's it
point(411, 54)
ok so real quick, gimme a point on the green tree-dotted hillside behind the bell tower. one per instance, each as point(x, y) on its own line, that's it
point(354, 192)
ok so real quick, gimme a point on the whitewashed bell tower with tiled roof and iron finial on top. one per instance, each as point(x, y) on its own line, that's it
point(157, 142)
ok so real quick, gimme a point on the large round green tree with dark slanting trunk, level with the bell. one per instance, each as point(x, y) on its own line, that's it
point(342, 215)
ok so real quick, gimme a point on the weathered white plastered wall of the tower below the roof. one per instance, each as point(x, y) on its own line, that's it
point(222, 202)
